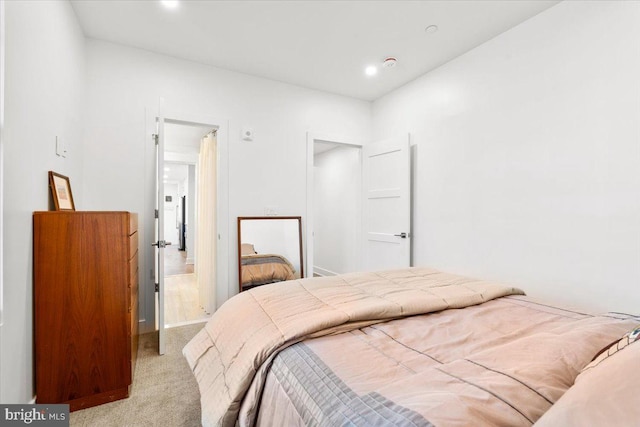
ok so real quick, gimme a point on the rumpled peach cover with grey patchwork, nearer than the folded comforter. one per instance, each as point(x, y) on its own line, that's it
point(503, 363)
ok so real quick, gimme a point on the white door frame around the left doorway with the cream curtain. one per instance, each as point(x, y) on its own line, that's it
point(220, 291)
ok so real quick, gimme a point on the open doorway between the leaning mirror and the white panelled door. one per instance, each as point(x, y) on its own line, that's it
point(334, 206)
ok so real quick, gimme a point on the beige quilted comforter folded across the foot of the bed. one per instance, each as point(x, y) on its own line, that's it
point(230, 355)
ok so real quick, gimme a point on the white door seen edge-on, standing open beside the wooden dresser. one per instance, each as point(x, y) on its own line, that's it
point(160, 243)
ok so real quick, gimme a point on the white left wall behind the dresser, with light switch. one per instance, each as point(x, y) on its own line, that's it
point(45, 74)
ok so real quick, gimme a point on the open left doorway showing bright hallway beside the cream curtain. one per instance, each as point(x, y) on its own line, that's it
point(183, 297)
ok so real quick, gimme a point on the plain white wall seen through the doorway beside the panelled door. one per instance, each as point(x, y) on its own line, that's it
point(336, 199)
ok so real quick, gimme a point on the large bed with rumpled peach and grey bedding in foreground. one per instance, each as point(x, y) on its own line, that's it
point(415, 347)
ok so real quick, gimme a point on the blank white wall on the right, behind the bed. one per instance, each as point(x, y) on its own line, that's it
point(527, 156)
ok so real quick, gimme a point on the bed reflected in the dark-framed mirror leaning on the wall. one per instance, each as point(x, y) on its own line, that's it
point(261, 269)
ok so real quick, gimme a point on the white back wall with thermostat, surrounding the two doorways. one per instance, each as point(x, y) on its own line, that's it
point(270, 171)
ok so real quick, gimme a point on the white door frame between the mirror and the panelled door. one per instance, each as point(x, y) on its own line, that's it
point(313, 137)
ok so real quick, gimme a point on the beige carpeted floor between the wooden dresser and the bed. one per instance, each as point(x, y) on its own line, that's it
point(164, 391)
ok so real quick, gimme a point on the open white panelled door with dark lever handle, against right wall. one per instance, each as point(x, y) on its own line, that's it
point(387, 204)
